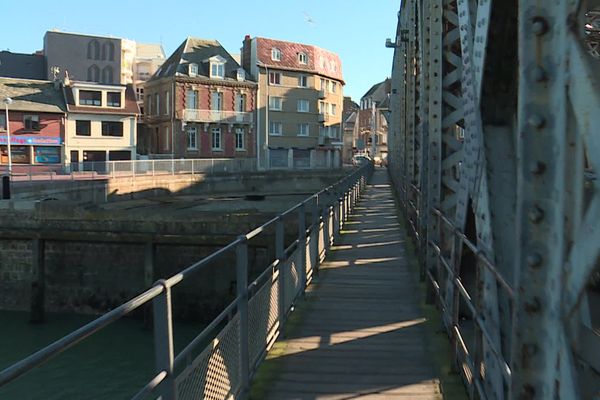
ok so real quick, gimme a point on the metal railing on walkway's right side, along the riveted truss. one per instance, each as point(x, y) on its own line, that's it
point(441, 275)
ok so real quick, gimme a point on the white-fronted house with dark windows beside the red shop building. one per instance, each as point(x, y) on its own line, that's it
point(101, 122)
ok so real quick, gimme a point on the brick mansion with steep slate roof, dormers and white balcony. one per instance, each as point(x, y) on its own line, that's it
point(200, 104)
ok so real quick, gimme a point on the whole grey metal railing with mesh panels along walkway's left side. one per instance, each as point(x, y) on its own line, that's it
point(249, 325)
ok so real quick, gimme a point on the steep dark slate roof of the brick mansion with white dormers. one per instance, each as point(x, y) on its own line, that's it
point(197, 51)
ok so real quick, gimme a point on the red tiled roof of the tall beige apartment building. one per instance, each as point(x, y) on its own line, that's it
point(319, 60)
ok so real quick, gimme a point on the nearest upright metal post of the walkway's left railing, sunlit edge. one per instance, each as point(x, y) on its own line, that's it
point(163, 340)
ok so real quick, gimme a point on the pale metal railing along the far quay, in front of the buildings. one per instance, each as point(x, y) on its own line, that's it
point(133, 168)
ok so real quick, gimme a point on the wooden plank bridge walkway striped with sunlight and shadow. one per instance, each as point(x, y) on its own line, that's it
point(359, 333)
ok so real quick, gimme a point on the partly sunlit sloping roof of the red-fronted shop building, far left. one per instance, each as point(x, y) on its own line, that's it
point(32, 95)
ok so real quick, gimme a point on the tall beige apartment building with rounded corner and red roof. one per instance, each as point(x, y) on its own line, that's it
point(299, 104)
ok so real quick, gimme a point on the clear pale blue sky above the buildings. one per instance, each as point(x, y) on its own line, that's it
point(355, 29)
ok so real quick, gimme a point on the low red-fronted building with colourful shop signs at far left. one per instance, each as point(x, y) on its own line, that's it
point(36, 115)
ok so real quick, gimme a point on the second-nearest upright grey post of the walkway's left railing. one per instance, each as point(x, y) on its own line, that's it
point(241, 254)
